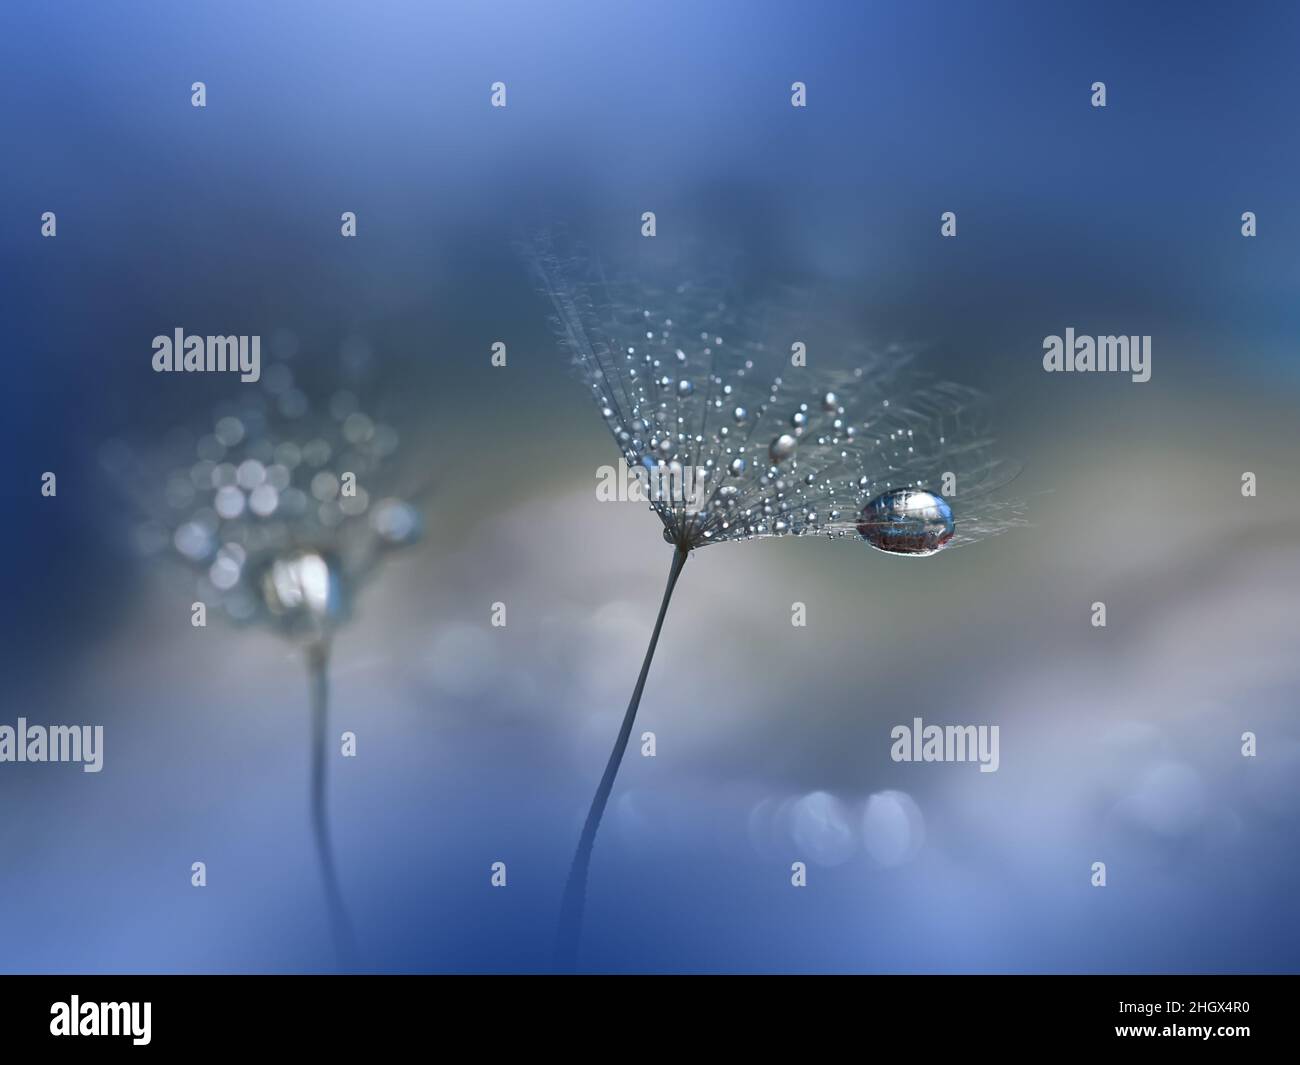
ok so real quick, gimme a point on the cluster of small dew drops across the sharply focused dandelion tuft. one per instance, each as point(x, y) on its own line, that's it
point(773, 466)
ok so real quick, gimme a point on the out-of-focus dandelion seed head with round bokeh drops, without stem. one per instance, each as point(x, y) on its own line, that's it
point(283, 506)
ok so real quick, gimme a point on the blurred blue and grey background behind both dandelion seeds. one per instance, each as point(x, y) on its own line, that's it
point(482, 744)
